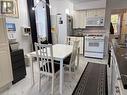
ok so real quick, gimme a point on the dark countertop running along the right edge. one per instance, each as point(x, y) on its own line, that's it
point(121, 57)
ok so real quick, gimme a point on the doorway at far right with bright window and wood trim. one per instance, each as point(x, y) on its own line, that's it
point(119, 23)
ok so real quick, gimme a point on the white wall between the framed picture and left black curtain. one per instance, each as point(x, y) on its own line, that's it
point(23, 20)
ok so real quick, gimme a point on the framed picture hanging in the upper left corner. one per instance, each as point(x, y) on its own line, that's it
point(9, 8)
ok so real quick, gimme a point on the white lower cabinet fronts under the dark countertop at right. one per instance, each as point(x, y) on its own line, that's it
point(116, 83)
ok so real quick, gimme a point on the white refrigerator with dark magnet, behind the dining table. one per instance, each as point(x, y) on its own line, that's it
point(62, 26)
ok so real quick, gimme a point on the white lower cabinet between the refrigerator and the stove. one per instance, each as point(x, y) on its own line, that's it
point(71, 39)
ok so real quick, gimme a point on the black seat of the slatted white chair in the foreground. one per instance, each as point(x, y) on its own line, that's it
point(56, 67)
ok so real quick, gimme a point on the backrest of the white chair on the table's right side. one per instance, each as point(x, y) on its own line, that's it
point(74, 52)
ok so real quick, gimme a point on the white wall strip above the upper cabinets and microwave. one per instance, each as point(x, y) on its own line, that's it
point(90, 5)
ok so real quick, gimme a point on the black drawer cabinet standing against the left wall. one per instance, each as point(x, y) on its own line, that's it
point(18, 65)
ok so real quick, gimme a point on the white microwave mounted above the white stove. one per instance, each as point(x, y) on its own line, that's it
point(95, 21)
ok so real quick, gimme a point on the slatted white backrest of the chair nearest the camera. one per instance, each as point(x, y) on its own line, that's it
point(44, 54)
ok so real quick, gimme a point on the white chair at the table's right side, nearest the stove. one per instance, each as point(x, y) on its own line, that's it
point(70, 61)
